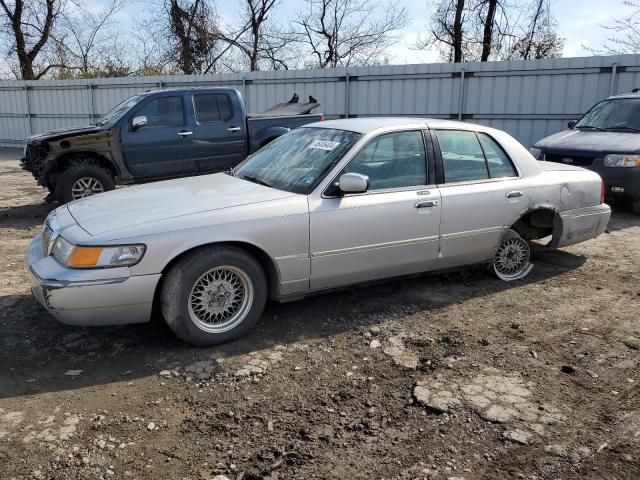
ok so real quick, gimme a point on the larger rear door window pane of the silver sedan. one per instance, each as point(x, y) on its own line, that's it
point(462, 156)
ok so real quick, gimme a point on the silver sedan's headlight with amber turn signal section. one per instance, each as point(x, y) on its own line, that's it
point(77, 256)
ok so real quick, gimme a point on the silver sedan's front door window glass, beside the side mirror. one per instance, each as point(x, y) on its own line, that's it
point(392, 160)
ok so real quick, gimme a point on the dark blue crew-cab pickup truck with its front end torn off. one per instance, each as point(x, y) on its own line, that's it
point(157, 135)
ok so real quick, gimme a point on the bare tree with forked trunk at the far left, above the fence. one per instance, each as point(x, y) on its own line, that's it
point(29, 24)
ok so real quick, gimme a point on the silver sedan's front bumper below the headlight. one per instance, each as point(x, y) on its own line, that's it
point(91, 296)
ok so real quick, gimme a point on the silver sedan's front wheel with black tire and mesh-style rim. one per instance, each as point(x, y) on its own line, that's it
point(213, 295)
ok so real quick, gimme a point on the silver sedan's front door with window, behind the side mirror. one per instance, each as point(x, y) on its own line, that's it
point(391, 229)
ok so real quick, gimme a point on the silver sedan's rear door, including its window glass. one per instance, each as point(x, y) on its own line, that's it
point(482, 194)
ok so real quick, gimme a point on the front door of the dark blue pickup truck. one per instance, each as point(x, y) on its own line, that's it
point(163, 145)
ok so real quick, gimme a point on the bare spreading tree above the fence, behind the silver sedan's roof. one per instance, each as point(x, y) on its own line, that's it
point(348, 32)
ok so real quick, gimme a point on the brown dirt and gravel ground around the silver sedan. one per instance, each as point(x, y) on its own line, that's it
point(452, 376)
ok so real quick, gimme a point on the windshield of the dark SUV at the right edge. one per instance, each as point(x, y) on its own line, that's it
point(621, 114)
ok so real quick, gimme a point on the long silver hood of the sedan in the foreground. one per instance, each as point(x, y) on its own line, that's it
point(156, 202)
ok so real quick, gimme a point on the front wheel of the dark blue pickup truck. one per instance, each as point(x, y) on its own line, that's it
point(83, 180)
